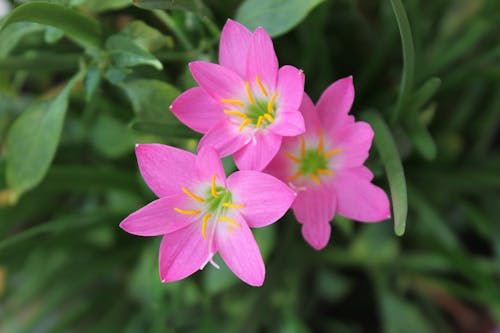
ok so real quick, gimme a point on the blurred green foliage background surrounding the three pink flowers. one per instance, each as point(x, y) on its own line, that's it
point(82, 81)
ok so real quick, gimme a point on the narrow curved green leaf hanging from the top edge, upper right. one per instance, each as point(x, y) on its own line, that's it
point(408, 57)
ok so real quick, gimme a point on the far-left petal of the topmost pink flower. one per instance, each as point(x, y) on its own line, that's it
point(196, 109)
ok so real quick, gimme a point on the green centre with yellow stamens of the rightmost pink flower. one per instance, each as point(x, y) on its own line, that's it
point(312, 163)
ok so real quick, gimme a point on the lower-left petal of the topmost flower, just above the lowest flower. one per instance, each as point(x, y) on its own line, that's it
point(224, 137)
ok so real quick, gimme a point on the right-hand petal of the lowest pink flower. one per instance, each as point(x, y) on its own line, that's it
point(265, 198)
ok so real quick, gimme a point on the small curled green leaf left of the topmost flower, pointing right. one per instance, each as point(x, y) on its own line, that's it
point(125, 53)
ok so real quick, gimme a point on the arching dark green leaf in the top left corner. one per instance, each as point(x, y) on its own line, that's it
point(81, 29)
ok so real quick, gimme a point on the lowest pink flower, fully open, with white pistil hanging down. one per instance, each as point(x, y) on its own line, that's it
point(200, 212)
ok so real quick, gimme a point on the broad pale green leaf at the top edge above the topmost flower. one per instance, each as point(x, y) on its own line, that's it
point(276, 16)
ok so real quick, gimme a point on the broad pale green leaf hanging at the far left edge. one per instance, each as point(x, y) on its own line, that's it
point(33, 139)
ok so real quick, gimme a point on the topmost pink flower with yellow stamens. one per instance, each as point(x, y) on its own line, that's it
point(245, 105)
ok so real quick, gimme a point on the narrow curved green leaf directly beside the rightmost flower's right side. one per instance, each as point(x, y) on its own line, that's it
point(387, 149)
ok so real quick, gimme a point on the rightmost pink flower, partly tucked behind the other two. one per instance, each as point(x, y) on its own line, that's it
point(325, 166)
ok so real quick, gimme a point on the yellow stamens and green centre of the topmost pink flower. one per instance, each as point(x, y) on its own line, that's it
point(258, 112)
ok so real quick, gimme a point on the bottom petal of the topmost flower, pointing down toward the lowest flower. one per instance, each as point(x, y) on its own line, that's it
point(257, 154)
